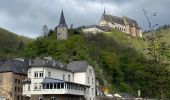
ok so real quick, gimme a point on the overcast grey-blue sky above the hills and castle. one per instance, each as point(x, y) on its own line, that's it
point(26, 17)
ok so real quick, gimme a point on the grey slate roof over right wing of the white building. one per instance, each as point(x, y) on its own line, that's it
point(78, 66)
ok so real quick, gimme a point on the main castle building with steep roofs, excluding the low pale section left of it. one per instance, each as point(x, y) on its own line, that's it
point(124, 24)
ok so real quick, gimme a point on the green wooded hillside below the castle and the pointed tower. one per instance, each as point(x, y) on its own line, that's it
point(117, 58)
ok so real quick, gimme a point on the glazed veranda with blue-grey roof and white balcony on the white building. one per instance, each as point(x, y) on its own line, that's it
point(55, 86)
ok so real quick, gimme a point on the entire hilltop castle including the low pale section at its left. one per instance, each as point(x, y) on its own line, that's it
point(124, 24)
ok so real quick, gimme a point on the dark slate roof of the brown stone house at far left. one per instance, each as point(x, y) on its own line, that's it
point(14, 66)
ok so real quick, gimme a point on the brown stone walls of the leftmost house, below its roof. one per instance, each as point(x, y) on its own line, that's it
point(11, 86)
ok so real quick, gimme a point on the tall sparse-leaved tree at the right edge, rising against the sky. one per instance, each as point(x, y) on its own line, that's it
point(157, 63)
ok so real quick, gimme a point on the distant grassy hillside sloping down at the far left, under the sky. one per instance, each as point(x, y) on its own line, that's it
point(11, 45)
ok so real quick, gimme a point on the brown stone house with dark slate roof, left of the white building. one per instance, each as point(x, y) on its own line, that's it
point(12, 72)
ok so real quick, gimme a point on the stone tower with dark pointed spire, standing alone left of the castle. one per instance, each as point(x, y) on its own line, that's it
point(62, 33)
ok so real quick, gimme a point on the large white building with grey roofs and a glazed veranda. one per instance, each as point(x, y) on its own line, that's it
point(51, 80)
